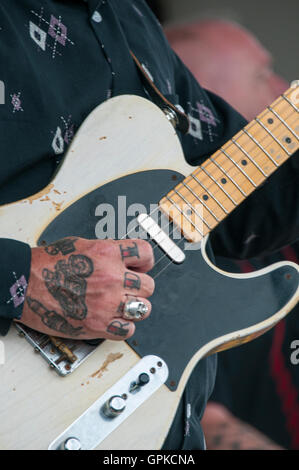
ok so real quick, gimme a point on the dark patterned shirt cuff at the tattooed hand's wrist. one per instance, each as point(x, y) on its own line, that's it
point(15, 259)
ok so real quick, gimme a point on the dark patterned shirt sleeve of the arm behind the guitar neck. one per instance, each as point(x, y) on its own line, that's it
point(269, 218)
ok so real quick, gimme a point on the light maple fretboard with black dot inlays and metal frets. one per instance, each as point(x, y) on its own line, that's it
point(203, 199)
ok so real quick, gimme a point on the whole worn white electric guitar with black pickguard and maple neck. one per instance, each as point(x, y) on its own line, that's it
point(125, 176)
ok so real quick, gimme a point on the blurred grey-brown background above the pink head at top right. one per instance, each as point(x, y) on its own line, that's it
point(275, 23)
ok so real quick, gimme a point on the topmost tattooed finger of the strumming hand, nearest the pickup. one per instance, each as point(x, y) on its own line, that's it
point(136, 254)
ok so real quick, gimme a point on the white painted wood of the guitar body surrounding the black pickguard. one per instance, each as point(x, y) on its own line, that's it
point(37, 404)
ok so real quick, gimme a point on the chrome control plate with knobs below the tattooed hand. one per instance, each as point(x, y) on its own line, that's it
point(93, 426)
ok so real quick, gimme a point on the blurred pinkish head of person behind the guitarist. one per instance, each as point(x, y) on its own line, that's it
point(230, 61)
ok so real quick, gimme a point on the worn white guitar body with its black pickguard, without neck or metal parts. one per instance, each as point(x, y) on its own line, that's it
point(197, 308)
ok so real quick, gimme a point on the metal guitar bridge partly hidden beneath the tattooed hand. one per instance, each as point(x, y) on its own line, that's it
point(63, 355)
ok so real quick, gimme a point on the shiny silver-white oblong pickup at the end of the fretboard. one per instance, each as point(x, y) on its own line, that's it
point(157, 234)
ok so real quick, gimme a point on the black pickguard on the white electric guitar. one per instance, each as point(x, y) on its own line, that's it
point(192, 303)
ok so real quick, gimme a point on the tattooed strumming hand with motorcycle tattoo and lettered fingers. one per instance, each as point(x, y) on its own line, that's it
point(78, 288)
